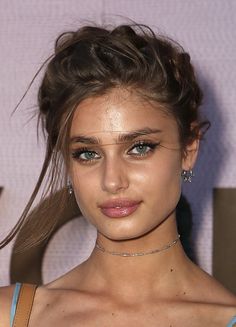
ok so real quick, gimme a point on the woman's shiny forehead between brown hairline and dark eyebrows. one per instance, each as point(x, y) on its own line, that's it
point(117, 112)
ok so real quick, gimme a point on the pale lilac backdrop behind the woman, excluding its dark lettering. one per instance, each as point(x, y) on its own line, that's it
point(206, 28)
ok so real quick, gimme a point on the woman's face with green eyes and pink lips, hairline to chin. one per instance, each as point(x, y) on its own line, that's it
point(125, 164)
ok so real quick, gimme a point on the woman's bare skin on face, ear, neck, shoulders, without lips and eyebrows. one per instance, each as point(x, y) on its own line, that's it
point(162, 289)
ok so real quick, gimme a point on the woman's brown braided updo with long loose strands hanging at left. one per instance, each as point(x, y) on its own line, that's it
point(90, 62)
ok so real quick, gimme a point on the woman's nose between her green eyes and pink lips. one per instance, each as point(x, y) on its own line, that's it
point(115, 176)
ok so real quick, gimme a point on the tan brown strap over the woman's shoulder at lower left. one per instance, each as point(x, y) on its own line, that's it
point(24, 305)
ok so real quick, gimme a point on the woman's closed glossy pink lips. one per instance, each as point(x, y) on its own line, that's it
point(119, 208)
